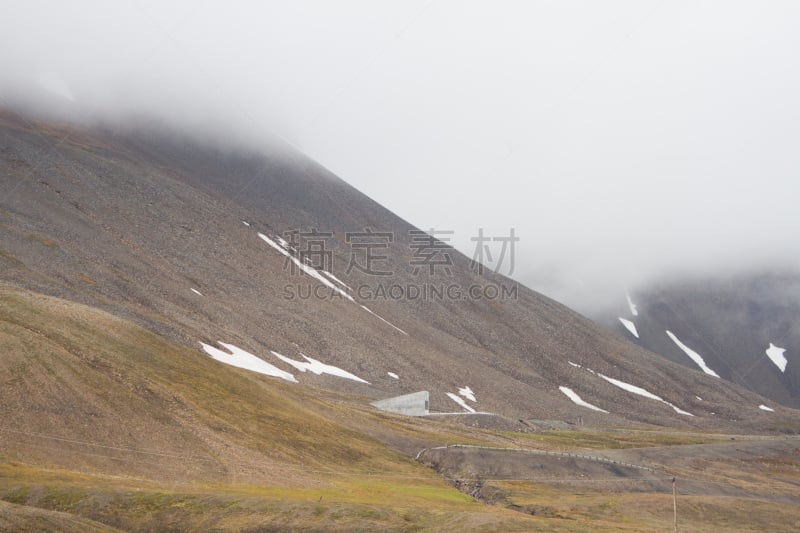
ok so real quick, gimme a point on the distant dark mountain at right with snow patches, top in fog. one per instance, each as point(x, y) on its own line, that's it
point(743, 328)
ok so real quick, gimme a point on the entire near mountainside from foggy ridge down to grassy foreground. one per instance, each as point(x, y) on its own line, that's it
point(135, 264)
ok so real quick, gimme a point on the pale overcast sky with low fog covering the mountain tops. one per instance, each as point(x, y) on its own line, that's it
point(623, 140)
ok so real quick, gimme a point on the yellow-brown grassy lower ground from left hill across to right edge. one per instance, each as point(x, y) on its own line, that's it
point(111, 426)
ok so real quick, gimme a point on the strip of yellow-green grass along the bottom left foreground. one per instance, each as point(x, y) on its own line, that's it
point(350, 503)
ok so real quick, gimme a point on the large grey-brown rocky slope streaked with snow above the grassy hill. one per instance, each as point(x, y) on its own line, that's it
point(267, 261)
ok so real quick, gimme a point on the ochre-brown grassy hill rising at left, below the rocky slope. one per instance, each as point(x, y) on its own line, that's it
point(115, 424)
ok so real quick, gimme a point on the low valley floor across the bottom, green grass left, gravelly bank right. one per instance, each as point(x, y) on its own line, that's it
point(747, 484)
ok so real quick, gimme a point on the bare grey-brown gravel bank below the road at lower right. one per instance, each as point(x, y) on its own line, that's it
point(764, 468)
